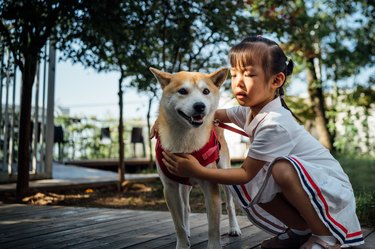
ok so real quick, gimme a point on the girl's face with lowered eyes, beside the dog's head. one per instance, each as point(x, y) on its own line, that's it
point(250, 88)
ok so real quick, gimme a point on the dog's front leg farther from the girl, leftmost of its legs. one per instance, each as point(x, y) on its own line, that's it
point(175, 196)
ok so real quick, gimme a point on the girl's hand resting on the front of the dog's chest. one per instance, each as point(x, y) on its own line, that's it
point(183, 165)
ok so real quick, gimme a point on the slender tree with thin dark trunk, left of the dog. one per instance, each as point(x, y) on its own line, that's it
point(96, 44)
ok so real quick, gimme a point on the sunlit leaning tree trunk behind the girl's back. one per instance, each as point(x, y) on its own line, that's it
point(317, 100)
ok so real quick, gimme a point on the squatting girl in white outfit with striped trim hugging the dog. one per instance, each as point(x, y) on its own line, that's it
point(289, 184)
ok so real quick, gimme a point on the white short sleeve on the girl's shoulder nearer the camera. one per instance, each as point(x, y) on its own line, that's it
point(270, 142)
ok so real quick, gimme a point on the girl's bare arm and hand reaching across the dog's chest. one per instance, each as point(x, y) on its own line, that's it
point(185, 165)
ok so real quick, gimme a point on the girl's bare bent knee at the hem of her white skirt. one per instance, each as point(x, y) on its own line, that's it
point(283, 172)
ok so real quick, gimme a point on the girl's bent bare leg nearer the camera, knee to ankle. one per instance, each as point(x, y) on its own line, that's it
point(286, 177)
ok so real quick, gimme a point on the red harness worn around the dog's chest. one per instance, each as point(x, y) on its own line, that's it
point(206, 155)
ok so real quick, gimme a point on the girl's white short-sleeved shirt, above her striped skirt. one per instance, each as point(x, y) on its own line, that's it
point(275, 133)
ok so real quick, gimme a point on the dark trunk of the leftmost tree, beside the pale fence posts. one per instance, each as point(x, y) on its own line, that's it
point(28, 75)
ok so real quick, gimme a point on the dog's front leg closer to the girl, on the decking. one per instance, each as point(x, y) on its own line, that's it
point(213, 209)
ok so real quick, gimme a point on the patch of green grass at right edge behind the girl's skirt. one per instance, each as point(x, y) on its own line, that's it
point(361, 172)
